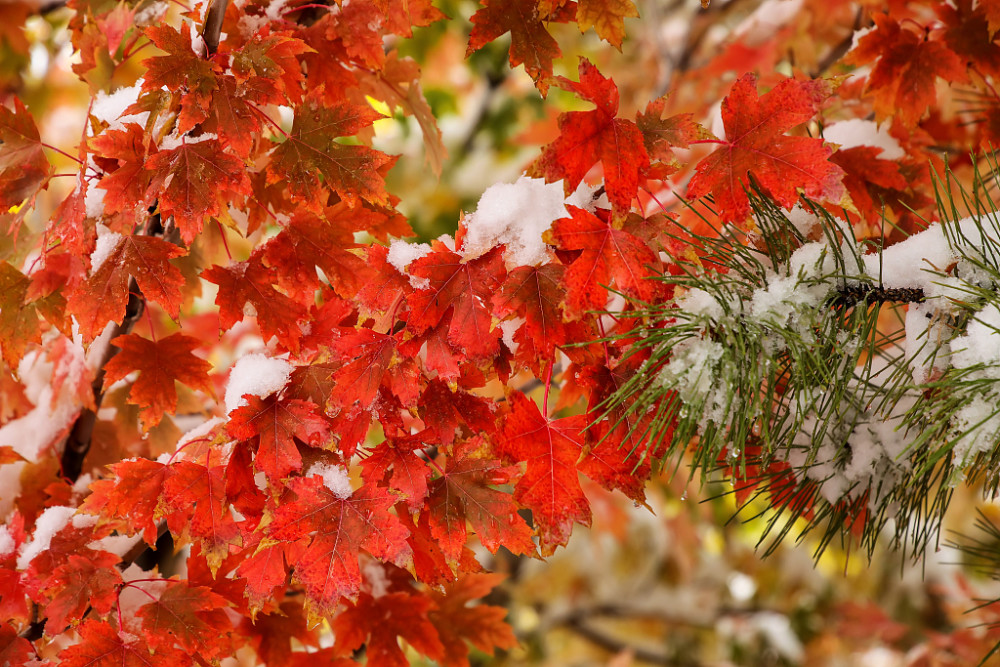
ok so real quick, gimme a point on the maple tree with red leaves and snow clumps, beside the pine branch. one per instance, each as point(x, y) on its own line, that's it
point(219, 350)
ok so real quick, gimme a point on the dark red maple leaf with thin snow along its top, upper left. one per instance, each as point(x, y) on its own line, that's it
point(194, 179)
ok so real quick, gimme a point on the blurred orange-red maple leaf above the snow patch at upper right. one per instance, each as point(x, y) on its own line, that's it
point(906, 66)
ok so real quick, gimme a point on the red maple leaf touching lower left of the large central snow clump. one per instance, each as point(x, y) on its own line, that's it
point(465, 287)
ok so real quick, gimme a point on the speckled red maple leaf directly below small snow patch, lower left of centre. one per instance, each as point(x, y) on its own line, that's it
point(337, 528)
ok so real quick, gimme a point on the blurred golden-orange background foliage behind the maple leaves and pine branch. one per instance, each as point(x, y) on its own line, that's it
point(681, 582)
